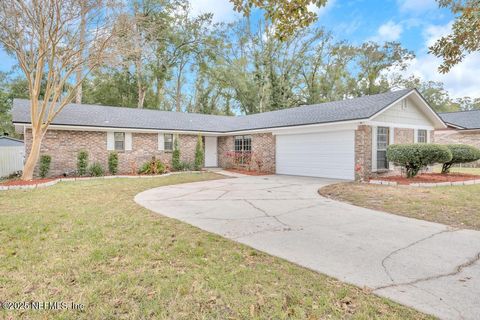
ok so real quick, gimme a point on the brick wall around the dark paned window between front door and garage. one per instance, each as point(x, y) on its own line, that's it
point(263, 147)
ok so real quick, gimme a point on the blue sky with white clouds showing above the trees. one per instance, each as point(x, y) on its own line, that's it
point(414, 23)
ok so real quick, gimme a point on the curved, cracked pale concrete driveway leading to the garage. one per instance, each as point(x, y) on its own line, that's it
point(428, 266)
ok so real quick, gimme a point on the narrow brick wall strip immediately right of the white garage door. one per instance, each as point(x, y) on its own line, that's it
point(363, 150)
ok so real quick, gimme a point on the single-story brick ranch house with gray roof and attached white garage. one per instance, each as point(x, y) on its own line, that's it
point(333, 139)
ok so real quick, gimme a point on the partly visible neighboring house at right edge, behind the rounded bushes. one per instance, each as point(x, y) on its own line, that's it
point(463, 127)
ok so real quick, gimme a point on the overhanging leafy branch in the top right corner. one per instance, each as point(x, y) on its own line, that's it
point(465, 36)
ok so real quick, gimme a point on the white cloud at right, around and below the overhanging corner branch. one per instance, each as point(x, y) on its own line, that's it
point(462, 80)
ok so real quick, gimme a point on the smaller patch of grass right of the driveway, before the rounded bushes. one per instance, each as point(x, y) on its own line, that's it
point(457, 206)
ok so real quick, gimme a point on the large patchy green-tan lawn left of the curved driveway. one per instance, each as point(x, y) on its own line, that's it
point(88, 242)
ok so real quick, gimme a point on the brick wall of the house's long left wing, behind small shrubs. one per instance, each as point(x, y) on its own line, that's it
point(64, 146)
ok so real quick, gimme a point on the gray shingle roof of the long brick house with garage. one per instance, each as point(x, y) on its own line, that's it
point(103, 116)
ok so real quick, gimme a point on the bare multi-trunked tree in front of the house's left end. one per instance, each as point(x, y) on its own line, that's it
point(45, 38)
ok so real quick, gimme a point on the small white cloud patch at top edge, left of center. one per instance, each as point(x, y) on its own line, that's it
point(222, 9)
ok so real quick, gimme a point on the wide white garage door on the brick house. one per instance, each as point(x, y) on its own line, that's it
point(325, 154)
